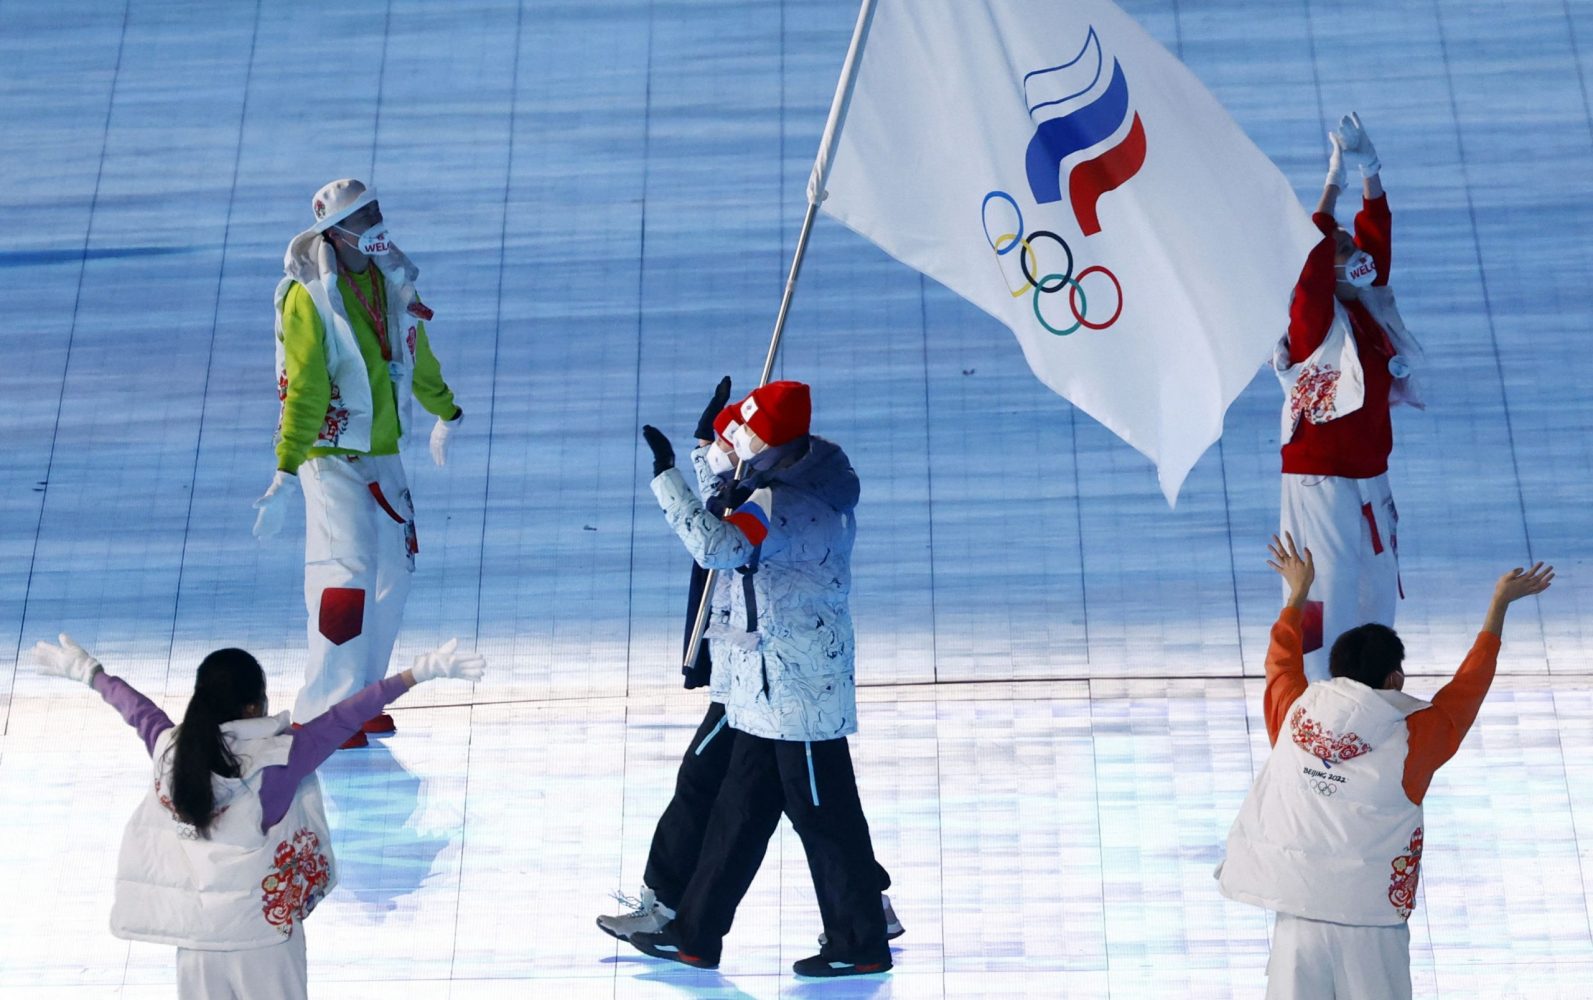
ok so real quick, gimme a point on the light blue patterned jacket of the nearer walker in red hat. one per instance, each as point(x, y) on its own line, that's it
point(793, 678)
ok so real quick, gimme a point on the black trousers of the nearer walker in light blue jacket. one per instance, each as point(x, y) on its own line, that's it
point(815, 786)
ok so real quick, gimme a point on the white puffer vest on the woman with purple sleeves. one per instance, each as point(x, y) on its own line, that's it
point(241, 888)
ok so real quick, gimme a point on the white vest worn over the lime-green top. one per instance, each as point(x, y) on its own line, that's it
point(313, 264)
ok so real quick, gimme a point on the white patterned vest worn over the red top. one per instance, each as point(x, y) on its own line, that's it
point(1331, 385)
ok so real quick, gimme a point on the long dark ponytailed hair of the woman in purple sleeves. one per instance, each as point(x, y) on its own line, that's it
point(229, 682)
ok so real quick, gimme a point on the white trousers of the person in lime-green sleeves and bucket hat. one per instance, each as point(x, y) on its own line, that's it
point(359, 555)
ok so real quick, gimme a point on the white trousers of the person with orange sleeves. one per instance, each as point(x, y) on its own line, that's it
point(1320, 961)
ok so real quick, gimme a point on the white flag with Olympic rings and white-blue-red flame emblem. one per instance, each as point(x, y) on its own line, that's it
point(1060, 170)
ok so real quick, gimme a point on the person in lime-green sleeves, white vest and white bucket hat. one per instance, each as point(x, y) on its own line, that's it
point(353, 353)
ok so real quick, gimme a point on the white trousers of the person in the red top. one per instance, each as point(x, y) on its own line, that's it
point(1352, 529)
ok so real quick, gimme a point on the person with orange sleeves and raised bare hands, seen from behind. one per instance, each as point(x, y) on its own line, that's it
point(1331, 835)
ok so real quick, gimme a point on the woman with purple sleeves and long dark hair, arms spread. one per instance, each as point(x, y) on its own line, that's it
point(230, 850)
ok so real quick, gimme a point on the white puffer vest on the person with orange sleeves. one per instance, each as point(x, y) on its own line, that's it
point(1328, 832)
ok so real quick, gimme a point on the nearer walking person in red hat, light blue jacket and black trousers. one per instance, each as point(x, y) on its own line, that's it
point(785, 627)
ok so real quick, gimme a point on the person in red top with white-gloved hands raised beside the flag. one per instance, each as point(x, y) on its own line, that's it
point(1344, 364)
